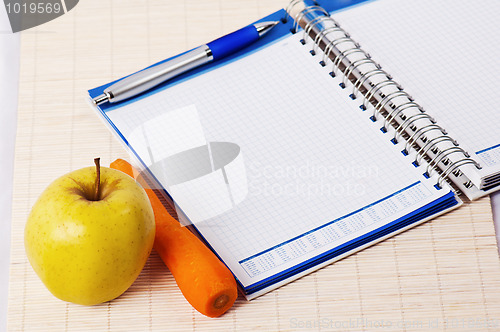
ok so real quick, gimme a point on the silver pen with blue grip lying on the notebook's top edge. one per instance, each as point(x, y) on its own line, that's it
point(148, 78)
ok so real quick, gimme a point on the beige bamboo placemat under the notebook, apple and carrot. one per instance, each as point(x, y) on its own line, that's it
point(444, 274)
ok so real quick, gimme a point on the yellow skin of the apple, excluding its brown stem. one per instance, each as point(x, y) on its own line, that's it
point(90, 251)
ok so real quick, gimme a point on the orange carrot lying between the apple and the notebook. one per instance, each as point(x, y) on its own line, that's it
point(206, 283)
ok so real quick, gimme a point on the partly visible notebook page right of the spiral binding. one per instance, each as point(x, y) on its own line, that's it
point(445, 55)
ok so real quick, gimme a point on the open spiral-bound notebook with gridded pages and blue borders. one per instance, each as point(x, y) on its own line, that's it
point(305, 148)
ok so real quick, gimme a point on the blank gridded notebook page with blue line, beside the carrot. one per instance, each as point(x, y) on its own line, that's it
point(307, 155)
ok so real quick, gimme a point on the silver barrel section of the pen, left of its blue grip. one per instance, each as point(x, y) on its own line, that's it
point(150, 77)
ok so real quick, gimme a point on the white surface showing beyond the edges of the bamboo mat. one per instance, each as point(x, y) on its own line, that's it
point(9, 63)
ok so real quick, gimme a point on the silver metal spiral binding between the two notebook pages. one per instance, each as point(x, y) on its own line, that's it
point(393, 106)
